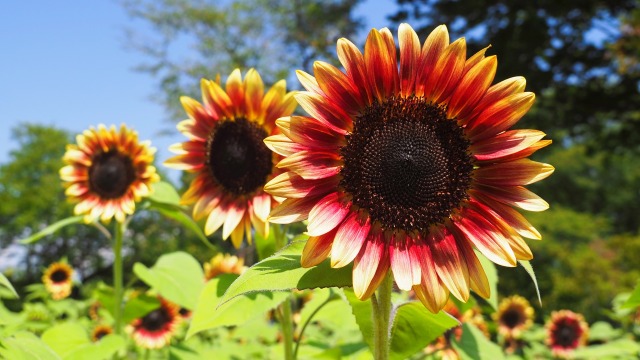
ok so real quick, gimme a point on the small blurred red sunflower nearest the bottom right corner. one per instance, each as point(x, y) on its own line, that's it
point(566, 331)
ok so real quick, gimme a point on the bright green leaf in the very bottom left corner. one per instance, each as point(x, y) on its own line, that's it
point(25, 345)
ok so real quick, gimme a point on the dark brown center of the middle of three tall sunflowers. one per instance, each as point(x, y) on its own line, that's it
point(237, 156)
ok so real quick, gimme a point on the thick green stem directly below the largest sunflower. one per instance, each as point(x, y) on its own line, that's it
point(381, 303)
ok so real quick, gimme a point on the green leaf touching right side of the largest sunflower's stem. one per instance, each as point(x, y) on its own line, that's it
point(414, 327)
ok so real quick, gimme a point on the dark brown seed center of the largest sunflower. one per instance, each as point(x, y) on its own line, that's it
point(406, 163)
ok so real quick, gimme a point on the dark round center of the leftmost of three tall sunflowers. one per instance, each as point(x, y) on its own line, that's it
point(111, 174)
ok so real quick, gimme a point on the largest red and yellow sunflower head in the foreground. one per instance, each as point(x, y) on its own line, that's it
point(409, 168)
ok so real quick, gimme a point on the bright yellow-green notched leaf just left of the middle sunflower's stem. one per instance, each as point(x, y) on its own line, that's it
point(210, 312)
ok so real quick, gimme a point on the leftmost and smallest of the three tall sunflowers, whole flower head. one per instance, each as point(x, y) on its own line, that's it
point(107, 172)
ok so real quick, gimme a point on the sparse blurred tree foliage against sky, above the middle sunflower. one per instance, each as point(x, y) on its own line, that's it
point(207, 38)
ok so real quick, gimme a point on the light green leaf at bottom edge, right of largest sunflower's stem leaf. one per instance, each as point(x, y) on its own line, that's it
point(474, 345)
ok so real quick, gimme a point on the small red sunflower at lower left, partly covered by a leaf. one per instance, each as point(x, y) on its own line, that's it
point(155, 329)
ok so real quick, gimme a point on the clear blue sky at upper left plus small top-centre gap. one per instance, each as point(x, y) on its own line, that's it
point(64, 63)
